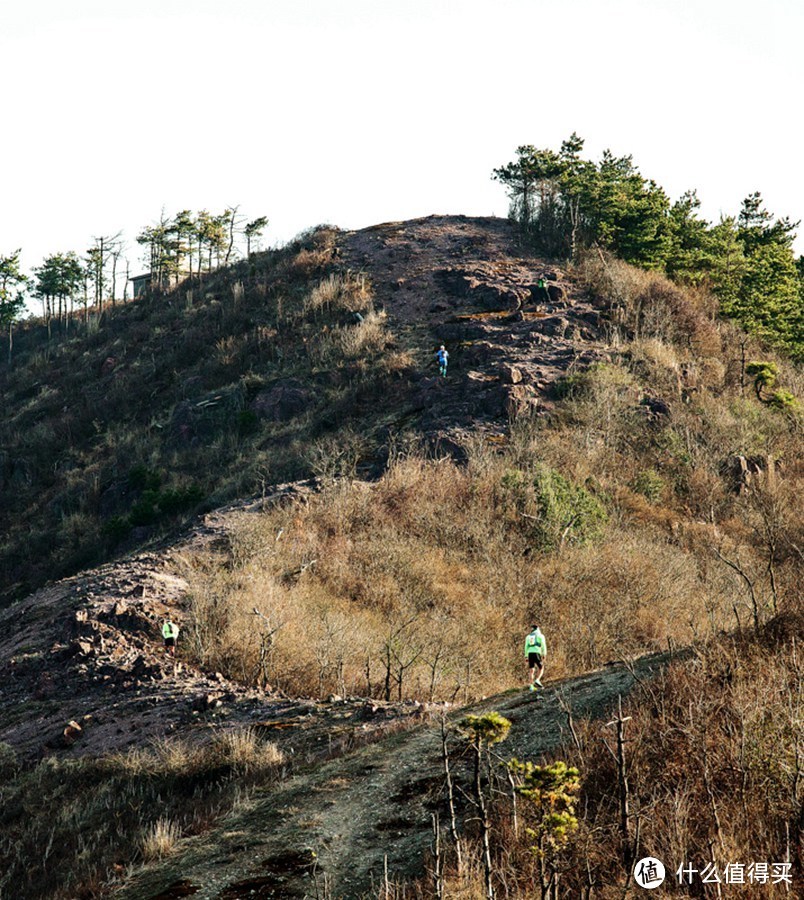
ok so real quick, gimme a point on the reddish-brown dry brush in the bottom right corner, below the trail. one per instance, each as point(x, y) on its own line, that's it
point(713, 750)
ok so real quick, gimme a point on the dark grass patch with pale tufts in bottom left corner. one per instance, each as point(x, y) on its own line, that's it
point(67, 826)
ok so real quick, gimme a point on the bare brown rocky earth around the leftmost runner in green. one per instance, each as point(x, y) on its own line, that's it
point(84, 672)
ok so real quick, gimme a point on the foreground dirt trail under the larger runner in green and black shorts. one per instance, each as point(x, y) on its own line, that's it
point(338, 822)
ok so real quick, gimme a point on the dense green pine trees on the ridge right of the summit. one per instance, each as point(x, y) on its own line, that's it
point(566, 204)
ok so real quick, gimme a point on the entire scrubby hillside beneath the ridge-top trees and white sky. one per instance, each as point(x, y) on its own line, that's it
point(272, 455)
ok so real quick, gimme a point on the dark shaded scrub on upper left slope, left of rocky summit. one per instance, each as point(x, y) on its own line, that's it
point(182, 400)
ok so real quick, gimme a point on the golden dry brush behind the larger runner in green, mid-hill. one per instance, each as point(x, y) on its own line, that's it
point(423, 584)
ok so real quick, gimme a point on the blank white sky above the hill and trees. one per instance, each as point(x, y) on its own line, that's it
point(361, 111)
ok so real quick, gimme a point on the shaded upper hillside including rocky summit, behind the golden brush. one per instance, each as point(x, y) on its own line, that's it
point(182, 401)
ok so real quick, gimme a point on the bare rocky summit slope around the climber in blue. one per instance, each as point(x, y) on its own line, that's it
point(460, 281)
